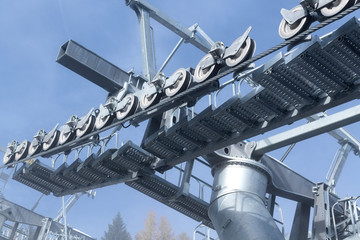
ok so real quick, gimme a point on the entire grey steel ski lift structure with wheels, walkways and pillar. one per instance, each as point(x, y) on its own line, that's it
point(318, 75)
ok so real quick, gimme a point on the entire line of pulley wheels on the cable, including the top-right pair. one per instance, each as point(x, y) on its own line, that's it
point(124, 103)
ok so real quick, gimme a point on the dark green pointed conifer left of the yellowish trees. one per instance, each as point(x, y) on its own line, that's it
point(116, 230)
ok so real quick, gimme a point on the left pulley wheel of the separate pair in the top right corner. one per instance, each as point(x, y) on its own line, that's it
point(287, 30)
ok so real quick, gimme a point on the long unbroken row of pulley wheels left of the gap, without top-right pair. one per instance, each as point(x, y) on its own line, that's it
point(123, 103)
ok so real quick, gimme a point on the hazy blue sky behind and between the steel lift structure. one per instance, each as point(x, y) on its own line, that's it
point(36, 92)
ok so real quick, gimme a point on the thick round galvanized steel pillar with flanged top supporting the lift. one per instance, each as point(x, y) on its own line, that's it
point(237, 209)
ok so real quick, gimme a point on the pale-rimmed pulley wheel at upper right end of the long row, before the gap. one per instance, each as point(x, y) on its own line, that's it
point(245, 52)
